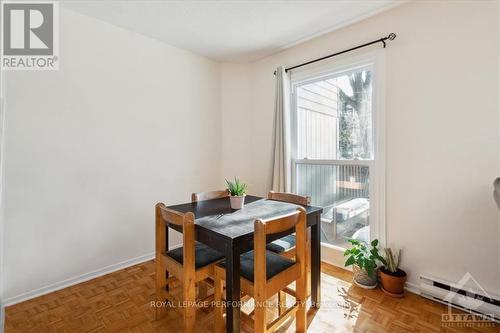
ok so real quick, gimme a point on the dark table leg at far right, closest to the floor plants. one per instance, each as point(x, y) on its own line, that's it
point(316, 262)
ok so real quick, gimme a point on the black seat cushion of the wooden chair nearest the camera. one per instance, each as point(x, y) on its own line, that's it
point(275, 264)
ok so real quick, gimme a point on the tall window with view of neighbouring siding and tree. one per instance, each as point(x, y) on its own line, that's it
point(334, 150)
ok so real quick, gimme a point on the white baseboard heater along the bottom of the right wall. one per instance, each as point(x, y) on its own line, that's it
point(461, 296)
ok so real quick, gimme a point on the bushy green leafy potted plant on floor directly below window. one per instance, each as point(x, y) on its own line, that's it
point(363, 257)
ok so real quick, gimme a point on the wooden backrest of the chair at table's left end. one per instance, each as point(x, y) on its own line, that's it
point(166, 217)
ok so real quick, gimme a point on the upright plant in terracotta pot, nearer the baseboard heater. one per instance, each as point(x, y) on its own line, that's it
point(391, 276)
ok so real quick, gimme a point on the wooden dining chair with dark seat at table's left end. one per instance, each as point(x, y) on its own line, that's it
point(188, 265)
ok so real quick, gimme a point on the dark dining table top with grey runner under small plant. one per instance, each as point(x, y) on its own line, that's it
point(232, 223)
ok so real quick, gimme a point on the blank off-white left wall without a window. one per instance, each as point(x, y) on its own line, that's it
point(126, 122)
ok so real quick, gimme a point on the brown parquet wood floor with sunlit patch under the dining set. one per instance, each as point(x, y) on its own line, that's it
point(121, 302)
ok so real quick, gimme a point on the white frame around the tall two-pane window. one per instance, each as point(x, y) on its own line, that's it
point(375, 60)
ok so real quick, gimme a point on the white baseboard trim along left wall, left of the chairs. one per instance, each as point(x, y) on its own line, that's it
point(77, 279)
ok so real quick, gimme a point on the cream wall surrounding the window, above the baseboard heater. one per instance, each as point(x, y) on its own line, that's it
point(442, 130)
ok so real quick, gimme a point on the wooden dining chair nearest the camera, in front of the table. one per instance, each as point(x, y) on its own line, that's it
point(265, 274)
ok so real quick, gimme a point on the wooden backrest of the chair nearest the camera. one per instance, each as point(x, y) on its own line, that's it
point(264, 228)
